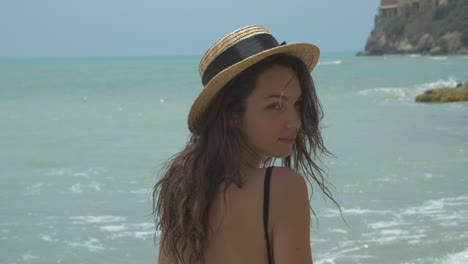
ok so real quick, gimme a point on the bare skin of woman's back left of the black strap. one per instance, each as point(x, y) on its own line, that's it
point(237, 234)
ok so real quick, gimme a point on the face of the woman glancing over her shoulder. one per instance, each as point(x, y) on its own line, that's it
point(272, 119)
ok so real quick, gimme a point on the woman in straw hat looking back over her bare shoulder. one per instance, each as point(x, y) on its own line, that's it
point(216, 201)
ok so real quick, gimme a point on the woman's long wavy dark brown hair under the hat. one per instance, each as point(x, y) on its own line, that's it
point(190, 179)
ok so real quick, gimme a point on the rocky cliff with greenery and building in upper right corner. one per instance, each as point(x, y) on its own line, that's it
point(431, 30)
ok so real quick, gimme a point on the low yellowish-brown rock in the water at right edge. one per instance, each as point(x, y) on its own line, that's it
point(444, 95)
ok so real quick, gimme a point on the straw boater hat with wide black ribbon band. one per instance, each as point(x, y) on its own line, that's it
point(234, 53)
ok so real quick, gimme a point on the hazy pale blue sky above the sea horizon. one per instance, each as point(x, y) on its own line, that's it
point(90, 28)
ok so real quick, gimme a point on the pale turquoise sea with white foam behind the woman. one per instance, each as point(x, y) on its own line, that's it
point(82, 141)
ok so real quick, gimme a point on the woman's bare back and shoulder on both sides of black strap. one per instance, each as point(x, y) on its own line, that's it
point(237, 222)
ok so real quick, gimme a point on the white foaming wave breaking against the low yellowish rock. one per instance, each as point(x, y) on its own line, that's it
point(406, 93)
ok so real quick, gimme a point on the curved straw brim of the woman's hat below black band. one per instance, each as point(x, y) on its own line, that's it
point(307, 52)
